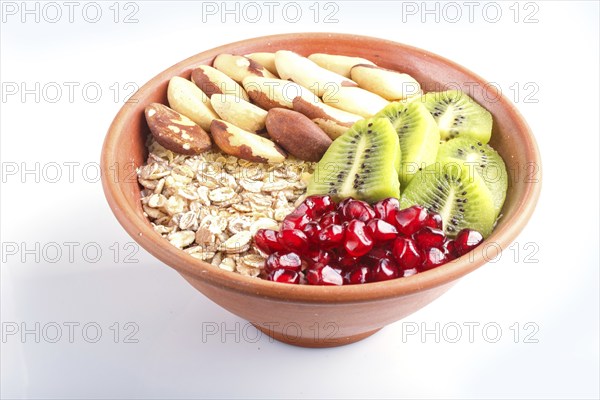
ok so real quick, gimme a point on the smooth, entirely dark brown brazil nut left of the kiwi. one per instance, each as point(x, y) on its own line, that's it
point(297, 134)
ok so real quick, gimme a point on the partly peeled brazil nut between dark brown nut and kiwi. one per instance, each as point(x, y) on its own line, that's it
point(333, 121)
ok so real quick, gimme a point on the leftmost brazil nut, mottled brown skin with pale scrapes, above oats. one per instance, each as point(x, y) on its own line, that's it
point(175, 131)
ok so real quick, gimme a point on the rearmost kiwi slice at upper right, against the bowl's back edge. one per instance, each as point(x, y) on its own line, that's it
point(459, 115)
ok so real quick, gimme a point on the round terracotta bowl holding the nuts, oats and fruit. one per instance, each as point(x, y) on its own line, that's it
point(324, 316)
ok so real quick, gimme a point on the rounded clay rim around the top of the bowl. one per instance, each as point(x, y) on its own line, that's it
point(140, 229)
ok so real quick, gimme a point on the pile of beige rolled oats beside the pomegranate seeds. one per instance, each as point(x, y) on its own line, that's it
point(210, 205)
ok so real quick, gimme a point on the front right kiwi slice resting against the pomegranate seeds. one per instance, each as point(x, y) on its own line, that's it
point(460, 196)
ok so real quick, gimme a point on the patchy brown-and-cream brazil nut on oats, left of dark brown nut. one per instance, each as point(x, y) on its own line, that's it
point(243, 144)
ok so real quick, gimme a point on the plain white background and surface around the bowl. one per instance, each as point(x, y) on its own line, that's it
point(552, 62)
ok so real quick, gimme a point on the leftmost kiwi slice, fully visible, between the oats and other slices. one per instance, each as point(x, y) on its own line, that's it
point(362, 163)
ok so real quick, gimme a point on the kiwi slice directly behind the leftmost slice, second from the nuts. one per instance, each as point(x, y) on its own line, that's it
point(418, 134)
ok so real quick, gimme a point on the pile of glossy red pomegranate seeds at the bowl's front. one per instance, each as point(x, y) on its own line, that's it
point(324, 243)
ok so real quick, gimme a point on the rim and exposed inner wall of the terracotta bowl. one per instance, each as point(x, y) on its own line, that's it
point(124, 150)
